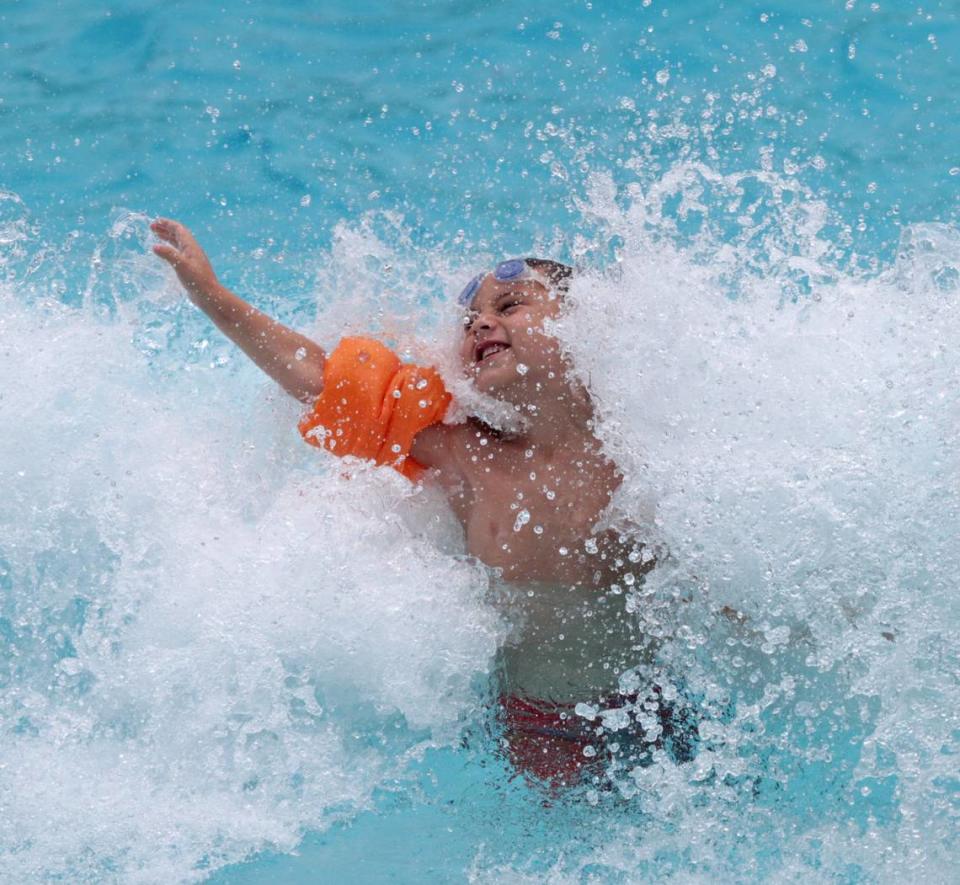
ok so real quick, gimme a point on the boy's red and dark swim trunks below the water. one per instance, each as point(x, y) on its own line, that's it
point(554, 744)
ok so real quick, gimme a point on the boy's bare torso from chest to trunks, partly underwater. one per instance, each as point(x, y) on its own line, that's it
point(533, 516)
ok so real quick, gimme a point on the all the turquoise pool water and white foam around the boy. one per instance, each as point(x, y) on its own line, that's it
point(221, 660)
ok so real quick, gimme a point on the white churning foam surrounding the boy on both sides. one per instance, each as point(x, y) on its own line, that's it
point(215, 640)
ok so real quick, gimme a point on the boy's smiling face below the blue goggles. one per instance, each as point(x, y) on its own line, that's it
point(504, 347)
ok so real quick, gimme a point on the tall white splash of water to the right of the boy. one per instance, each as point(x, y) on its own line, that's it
point(796, 425)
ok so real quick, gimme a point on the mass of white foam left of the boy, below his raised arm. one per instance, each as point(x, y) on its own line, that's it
point(239, 621)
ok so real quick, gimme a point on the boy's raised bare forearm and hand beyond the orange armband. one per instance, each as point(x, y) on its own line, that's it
point(296, 363)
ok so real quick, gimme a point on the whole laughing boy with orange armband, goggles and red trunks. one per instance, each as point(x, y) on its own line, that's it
point(529, 501)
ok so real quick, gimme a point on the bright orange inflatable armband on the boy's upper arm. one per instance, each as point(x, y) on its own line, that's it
point(373, 406)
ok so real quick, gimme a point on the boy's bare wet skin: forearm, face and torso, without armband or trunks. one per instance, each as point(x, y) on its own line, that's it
point(529, 502)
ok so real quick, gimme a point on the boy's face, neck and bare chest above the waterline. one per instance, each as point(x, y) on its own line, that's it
point(527, 501)
